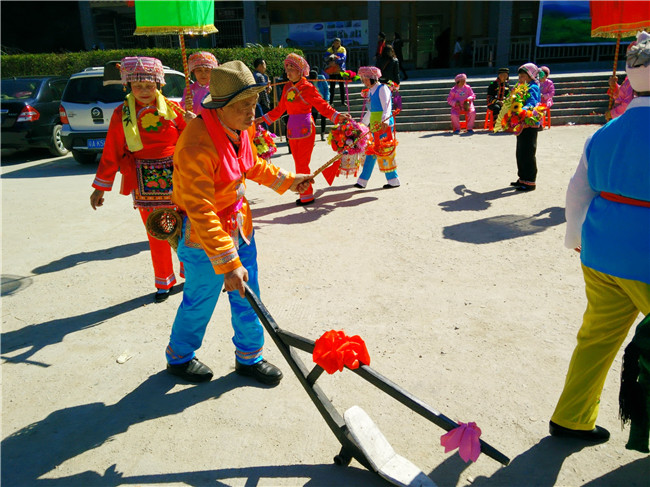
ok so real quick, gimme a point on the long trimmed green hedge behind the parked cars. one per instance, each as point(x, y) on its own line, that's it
point(69, 63)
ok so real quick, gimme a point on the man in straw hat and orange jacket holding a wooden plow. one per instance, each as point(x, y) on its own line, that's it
point(213, 159)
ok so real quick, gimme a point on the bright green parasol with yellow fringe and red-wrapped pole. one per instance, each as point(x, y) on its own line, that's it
point(162, 17)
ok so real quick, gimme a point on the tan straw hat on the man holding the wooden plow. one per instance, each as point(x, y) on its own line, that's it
point(229, 83)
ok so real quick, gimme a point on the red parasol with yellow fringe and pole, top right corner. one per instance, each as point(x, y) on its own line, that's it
point(617, 19)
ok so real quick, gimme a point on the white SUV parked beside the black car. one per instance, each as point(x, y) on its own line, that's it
point(87, 106)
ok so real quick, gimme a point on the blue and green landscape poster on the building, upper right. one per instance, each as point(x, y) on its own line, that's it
point(566, 23)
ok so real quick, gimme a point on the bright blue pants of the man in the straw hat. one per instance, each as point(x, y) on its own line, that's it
point(200, 295)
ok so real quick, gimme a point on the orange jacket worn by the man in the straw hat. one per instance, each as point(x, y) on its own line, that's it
point(206, 199)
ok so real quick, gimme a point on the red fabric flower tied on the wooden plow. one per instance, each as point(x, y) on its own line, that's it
point(335, 349)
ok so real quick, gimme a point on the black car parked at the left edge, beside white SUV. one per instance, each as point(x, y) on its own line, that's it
point(30, 113)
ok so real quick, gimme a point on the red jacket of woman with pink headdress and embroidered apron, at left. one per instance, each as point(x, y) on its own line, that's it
point(117, 157)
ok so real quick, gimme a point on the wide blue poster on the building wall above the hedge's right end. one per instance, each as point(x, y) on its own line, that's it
point(320, 34)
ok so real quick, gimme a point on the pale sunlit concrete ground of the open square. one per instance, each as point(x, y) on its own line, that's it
point(459, 285)
